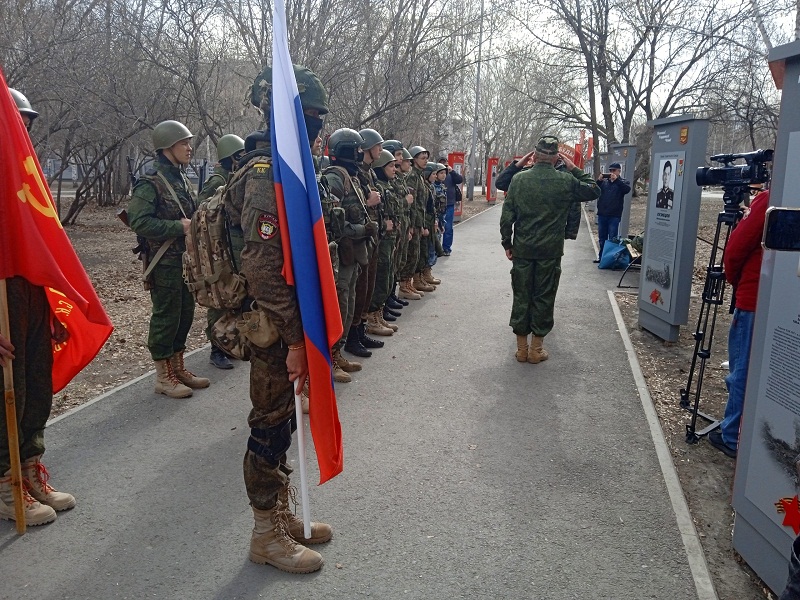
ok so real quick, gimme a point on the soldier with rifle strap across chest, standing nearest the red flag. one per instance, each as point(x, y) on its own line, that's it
point(161, 206)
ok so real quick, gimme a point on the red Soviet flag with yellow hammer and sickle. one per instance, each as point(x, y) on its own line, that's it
point(33, 245)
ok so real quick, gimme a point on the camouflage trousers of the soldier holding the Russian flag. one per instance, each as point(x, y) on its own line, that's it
point(272, 396)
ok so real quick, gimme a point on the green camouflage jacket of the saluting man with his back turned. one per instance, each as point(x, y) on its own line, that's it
point(536, 208)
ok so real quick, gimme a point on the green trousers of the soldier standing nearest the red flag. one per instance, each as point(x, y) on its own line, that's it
point(173, 311)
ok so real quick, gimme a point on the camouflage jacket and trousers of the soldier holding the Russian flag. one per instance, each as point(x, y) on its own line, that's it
point(253, 207)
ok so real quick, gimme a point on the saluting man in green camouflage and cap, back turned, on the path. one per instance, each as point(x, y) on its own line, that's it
point(534, 212)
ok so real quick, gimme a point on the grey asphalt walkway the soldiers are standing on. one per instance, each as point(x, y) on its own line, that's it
point(467, 474)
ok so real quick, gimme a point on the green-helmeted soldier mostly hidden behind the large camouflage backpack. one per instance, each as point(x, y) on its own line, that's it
point(230, 148)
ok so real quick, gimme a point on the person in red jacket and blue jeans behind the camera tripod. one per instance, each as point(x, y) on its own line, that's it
point(742, 263)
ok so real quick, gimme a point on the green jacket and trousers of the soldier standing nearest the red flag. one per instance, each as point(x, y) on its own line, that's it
point(154, 214)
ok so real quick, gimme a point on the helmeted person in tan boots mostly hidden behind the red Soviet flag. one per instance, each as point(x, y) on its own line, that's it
point(30, 321)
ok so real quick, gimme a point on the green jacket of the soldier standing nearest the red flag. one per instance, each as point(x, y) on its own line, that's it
point(153, 212)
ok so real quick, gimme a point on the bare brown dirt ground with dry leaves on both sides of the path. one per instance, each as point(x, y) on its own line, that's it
point(103, 244)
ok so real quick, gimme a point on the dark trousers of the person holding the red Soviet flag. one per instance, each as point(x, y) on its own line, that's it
point(29, 321)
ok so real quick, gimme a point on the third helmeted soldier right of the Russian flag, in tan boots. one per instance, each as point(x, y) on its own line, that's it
point(385, 168)
